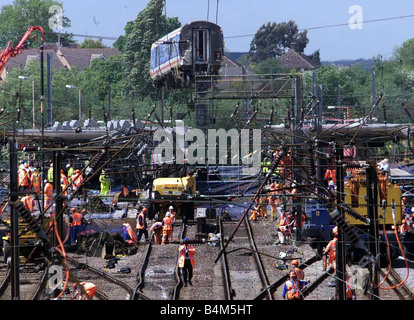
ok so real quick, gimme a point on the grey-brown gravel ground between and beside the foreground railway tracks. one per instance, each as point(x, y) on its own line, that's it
point(207, 280)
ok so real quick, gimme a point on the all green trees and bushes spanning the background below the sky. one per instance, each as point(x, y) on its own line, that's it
point(125, 77)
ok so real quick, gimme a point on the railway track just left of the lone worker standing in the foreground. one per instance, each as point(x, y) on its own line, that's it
point(159, 277)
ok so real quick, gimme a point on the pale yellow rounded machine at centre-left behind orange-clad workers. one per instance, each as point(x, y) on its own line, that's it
point(176, 192)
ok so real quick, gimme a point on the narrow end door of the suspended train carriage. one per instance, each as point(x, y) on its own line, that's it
point(201, 51)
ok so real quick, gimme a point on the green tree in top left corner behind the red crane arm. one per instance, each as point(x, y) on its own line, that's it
point(16, 18)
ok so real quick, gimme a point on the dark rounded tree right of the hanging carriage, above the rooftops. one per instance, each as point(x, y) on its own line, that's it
point(273, 39)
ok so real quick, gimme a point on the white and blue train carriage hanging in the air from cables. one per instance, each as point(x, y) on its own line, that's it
point(194, 49)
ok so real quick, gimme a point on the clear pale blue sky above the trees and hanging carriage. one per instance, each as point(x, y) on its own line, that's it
point(340, 29)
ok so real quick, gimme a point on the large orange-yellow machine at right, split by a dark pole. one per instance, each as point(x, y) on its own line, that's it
point(356, 197)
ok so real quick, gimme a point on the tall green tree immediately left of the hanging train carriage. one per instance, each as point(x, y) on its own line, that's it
point(149, 26)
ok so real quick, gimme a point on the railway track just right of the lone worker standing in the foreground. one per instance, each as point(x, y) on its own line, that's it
point(244, 273)
